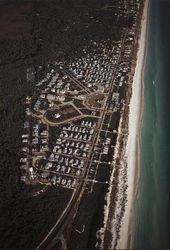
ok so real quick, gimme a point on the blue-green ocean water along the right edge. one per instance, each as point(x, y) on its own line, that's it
point(151, 215)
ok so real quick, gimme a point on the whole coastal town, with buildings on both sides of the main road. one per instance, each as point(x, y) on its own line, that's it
point(70, 101)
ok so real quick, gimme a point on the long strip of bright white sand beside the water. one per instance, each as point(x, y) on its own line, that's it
point(132, 149)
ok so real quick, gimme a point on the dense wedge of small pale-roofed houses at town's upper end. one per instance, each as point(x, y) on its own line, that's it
point(96, 69)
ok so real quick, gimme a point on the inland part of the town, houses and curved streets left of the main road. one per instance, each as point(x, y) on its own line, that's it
point(51, 110)
